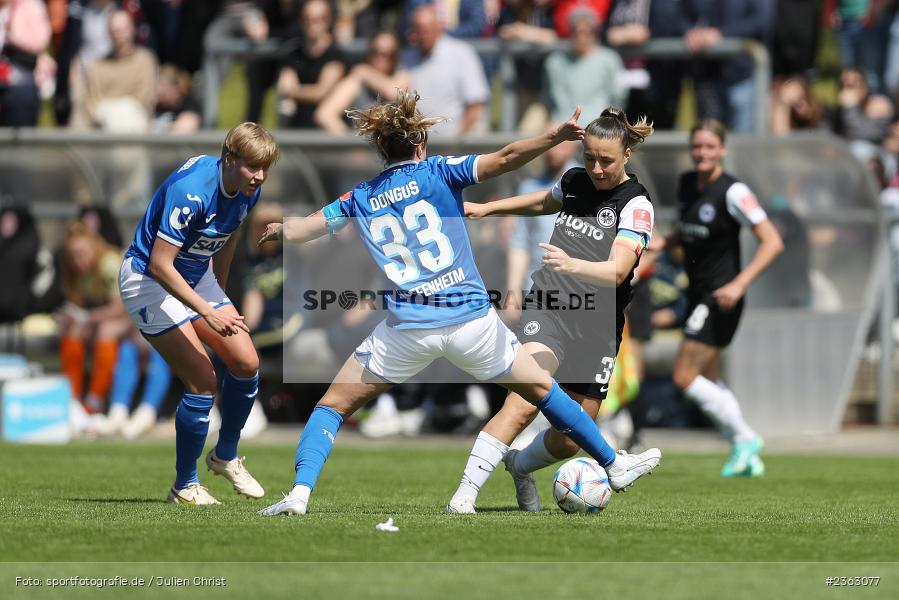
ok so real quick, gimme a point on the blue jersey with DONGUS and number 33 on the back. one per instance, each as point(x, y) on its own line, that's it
point(412, 221)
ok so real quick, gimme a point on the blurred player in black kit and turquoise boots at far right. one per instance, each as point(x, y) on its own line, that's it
point(714, 206)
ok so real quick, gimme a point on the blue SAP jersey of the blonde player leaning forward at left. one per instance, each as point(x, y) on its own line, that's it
point(192, 211)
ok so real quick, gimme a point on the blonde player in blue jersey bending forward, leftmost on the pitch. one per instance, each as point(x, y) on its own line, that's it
point(171, 284)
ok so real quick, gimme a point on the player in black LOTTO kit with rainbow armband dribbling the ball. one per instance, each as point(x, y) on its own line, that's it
point(578, 346)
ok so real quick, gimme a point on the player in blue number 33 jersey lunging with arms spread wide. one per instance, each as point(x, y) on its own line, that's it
point(411, 220)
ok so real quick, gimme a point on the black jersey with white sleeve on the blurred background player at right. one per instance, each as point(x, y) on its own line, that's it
point(710, 222)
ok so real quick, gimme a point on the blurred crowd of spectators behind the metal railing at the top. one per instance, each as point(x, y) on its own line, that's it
point(133, 65)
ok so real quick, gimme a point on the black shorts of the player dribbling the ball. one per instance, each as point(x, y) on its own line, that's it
point(586, 350)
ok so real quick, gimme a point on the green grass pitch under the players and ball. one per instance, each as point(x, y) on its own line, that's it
point(683, 532)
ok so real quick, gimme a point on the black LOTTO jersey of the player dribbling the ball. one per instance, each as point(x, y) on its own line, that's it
point(587, 226)
